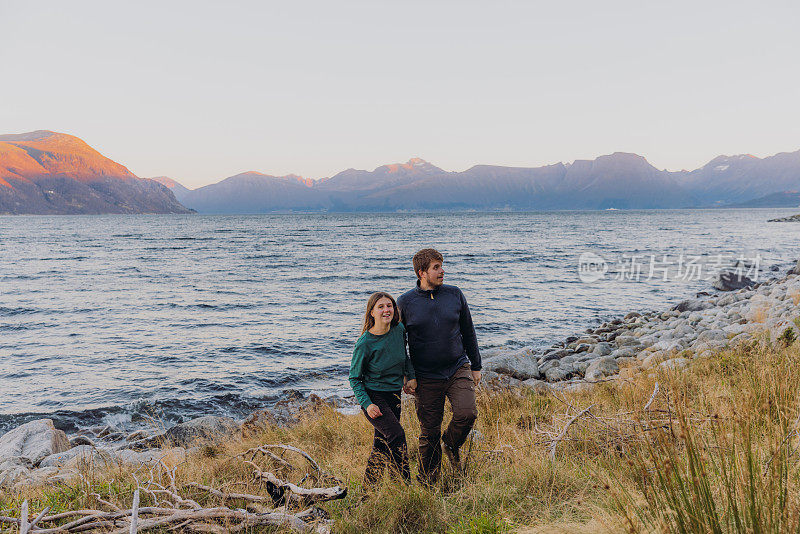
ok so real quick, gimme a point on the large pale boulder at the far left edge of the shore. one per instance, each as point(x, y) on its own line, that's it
point(32, 442)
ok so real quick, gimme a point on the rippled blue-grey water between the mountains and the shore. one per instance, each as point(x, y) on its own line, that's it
point(126, 320)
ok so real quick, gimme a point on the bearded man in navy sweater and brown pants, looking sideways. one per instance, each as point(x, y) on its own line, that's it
point(444, 351)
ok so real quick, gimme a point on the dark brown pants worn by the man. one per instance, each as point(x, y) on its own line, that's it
point(460, 391)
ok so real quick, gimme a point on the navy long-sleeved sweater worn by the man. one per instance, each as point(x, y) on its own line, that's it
point(439, 330)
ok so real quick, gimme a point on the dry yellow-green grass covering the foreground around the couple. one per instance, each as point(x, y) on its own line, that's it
point(712, 438)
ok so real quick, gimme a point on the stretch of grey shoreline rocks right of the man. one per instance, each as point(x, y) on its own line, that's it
point(640, 341)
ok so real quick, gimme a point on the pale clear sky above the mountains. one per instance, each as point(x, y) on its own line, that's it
point(199, 91)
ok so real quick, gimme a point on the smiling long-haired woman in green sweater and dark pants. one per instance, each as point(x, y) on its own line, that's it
point(378, 372)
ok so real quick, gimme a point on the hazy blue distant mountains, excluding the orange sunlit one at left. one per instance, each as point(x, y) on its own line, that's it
point(620, 180)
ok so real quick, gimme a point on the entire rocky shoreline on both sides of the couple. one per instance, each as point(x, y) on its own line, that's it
point(37, 453)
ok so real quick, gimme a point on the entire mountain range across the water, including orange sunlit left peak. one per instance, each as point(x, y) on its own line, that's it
point(47, 172)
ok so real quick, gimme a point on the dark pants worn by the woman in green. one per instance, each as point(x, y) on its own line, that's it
point(389, 445)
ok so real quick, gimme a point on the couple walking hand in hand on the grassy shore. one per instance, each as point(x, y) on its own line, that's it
point(442, 361)
